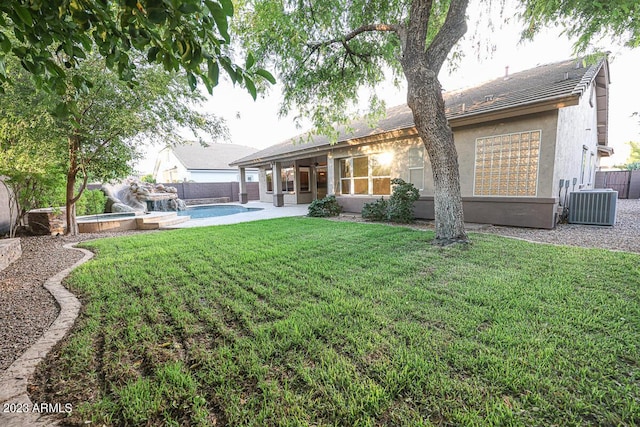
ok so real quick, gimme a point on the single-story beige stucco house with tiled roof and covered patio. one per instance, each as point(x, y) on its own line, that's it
point(516, 138)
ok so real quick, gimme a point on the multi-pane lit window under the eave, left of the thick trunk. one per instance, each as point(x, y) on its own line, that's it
point(366, 175)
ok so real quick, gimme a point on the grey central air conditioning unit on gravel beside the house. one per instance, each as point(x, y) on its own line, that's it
point(593, 207)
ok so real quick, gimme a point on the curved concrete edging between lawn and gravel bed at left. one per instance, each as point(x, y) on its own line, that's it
point(13, 381)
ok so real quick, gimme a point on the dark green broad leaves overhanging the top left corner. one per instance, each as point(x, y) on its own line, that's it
point(189, 35)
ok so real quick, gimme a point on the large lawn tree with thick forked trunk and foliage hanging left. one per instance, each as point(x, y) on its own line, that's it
point(326, 51)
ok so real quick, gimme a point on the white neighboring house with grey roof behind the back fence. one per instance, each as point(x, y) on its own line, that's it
point(197, 163)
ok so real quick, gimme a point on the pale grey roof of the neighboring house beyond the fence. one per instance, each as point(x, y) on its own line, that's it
point(194, 156)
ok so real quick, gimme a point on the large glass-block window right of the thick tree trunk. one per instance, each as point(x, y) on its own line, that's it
point(507, 165)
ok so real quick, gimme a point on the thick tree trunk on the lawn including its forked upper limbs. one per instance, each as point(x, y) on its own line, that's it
point(421, 63)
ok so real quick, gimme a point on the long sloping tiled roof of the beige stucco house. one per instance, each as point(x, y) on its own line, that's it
point(545, 87)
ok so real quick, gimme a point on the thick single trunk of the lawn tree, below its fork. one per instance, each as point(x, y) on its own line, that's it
point(424, 97)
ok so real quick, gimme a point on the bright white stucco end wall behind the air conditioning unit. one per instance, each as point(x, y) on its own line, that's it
point(577, 126)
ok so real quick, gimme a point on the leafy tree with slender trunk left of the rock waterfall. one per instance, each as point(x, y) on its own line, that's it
point(107, 122)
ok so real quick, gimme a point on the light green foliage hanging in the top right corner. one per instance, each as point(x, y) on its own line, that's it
point(588, 20)
